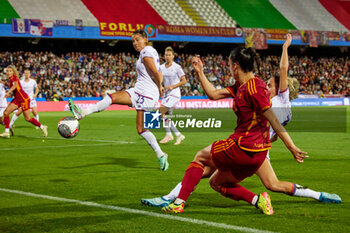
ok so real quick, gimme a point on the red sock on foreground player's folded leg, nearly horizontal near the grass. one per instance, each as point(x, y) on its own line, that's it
point(238, 192)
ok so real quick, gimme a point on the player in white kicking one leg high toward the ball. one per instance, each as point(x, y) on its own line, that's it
point(143, 97)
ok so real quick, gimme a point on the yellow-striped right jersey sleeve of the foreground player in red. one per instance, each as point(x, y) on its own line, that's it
point(260, 95)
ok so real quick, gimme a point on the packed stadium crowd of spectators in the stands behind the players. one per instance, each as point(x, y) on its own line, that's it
point(78, 74)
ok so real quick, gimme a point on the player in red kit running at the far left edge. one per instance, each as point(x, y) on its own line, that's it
point(21, 100)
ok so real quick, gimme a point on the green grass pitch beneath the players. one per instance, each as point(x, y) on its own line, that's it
point(109, 163)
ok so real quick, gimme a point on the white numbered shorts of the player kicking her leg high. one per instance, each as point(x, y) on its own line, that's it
point(141, 102)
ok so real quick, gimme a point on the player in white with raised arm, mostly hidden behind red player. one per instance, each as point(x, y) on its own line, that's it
point(283, 90)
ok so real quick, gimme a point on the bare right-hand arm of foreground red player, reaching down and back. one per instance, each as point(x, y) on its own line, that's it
point(298, 154)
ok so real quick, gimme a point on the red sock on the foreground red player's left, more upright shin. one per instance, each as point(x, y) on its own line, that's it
point(192, 177)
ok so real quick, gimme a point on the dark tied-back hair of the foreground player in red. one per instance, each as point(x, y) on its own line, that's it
point(244, 57)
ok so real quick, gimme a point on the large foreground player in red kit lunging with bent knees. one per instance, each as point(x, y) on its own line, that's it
point(240, 155)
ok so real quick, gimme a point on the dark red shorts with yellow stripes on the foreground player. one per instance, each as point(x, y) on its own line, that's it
point(227, 156)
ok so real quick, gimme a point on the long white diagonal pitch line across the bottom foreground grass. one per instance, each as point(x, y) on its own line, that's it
point(135, 211)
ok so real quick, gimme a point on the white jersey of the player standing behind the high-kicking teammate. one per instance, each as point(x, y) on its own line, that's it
point(172, 75)
